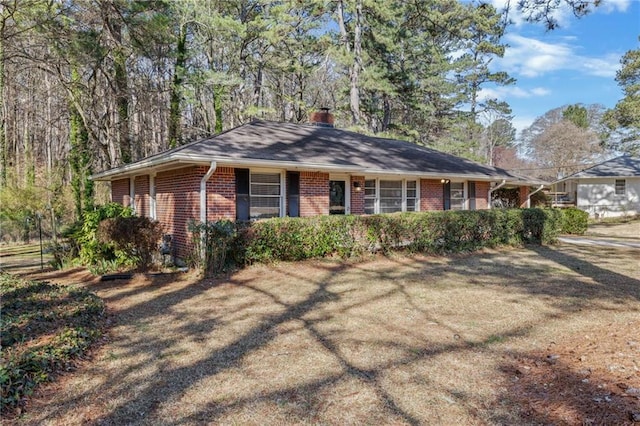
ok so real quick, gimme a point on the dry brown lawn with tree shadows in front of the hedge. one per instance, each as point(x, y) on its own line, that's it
point(399, 340)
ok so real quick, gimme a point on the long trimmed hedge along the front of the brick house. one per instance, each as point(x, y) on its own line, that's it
point(291, 239)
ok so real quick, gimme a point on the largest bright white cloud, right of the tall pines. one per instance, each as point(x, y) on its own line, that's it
point(529, 57)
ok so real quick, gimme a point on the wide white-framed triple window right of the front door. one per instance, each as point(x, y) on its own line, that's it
point(388, 196)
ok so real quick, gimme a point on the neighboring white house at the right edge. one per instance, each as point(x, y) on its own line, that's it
point(608, 189)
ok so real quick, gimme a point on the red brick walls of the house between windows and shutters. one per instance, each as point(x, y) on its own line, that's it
point(178, 198)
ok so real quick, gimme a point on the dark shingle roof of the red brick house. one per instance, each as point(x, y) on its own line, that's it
point(322, 147)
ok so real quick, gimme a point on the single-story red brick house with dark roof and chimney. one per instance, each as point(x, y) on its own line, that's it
point(270, 169)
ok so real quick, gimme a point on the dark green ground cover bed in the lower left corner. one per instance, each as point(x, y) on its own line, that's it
point(43, 328)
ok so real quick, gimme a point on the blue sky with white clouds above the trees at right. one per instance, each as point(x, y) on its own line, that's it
point(576, 63)
